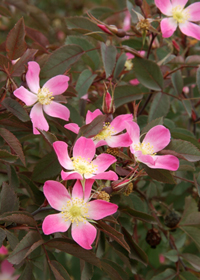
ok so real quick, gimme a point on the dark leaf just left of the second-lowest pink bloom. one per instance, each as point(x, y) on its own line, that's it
point(47, 168)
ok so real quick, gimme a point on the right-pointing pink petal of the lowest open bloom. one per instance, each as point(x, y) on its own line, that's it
point(98, 209)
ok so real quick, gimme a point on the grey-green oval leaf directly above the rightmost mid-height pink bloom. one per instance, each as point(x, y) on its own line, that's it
point(159, 106)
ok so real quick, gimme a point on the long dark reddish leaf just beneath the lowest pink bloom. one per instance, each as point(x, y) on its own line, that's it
point(69, 246)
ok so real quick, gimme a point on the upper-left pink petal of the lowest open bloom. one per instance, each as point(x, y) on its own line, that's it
point(56, 194)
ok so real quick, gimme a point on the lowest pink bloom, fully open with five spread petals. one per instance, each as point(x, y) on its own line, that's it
point(76, 210)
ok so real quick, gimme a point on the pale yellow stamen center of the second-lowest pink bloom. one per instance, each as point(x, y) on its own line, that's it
point(83, 166)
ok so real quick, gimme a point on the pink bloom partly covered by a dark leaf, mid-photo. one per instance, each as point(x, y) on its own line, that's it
point(109, 135)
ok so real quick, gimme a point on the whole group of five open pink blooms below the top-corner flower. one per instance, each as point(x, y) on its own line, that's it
point(83, 163)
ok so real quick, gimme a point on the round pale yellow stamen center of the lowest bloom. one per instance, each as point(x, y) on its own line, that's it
point(76, 210)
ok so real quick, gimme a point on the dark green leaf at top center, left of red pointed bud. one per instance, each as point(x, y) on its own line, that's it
point(85, 26)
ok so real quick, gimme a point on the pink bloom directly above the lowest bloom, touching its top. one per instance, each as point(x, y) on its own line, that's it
point(81, 165)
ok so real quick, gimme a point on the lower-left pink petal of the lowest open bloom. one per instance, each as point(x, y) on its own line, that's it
point(55, 223)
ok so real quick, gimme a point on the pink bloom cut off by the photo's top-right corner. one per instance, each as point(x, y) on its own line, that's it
point(179, 16)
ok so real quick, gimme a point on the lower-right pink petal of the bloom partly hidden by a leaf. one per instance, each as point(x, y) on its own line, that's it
point(122, 140)
